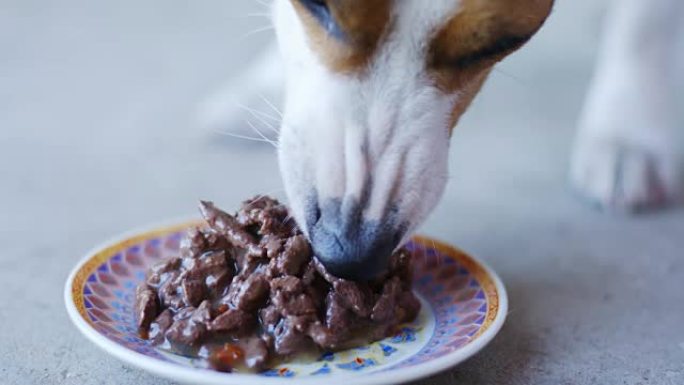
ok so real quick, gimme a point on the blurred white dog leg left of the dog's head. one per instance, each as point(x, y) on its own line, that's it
point(247, 99)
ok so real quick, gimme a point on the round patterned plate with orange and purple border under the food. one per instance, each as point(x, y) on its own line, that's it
point(464, 306)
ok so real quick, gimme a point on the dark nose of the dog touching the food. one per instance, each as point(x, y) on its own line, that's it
point(349, 246)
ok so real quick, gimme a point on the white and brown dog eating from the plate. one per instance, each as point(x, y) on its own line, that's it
point(374, 88)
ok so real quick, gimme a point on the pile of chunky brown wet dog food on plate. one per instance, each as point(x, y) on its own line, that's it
point(246, 290)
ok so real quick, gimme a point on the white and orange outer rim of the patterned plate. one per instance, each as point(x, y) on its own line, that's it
point(492, 285)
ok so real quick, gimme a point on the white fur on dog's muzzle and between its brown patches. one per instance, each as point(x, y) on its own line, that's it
point(387, 130)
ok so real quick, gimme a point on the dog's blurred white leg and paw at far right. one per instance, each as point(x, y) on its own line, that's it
point(625, 157)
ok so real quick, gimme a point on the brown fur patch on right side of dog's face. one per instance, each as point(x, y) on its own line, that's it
point(482, 33)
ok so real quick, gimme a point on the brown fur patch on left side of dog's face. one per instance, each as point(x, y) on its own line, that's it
point(363, 24)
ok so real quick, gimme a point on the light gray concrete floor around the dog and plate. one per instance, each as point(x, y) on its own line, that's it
point(97, 136)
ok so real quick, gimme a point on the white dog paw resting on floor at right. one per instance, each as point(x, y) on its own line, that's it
point(620, 177)
